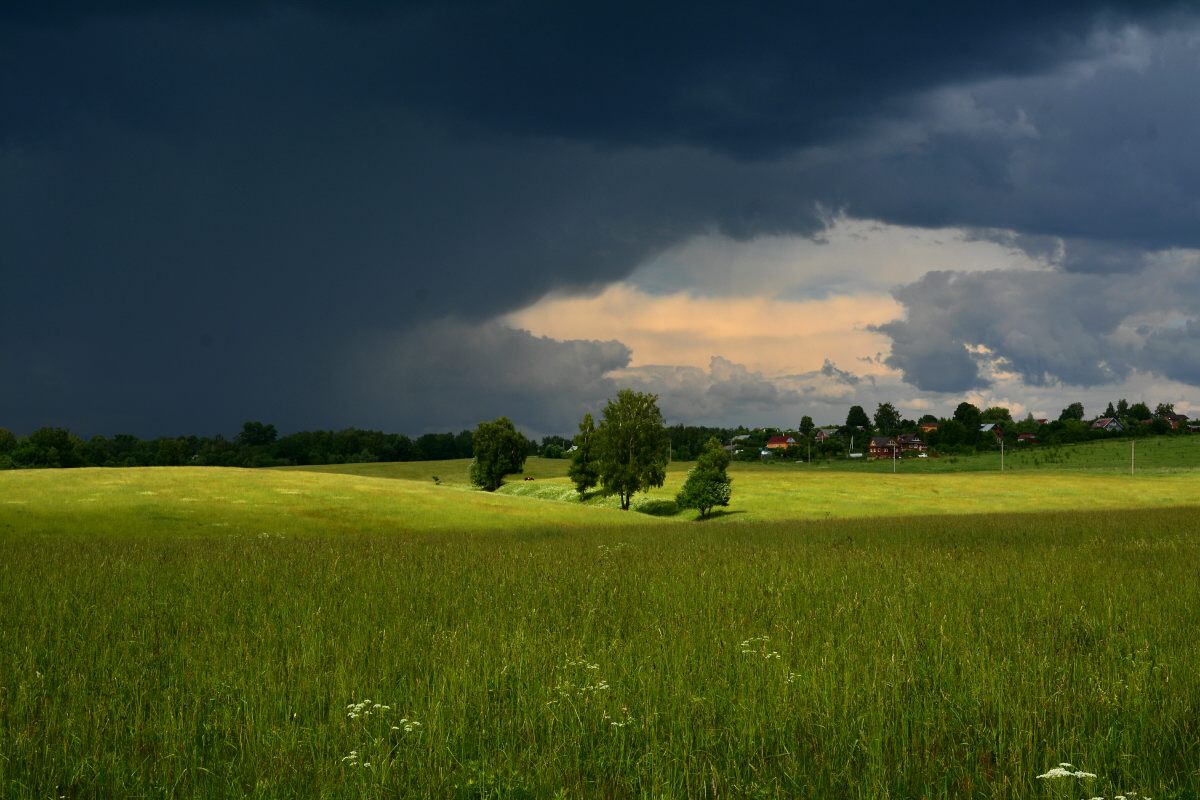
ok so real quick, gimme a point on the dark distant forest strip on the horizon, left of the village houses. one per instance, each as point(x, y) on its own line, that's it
point(260, 446)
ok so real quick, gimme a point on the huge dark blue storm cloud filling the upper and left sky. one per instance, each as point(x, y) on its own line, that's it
point(207, 209)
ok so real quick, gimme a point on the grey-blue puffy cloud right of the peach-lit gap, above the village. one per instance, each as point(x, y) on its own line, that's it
point(1053, 327)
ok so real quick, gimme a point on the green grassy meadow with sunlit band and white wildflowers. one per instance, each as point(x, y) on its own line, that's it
point(363, 631)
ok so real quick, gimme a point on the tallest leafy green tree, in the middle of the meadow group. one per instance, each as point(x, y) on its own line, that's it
point(632, 446)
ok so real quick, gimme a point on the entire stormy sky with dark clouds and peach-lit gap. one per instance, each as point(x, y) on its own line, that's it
point(419, 216)
